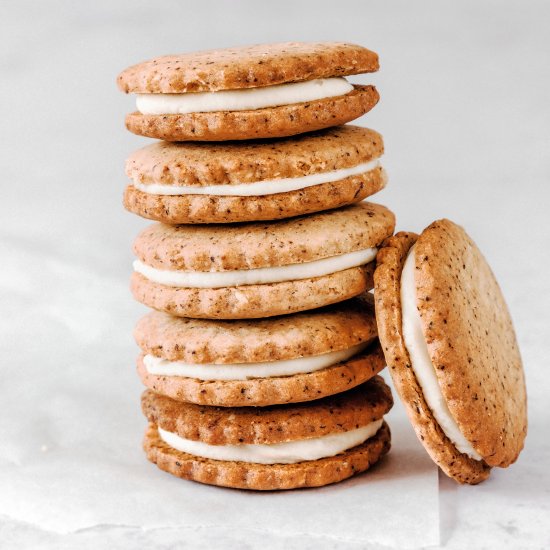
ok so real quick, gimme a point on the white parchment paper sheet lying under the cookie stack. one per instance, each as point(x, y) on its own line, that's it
point(71, 426)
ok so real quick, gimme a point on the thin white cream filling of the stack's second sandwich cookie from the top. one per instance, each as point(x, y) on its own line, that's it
point(258, 188)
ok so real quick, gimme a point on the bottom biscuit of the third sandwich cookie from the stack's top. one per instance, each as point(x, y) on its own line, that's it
point(253, 301)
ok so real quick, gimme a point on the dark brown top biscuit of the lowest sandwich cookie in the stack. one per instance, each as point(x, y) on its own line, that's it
point(268, 425)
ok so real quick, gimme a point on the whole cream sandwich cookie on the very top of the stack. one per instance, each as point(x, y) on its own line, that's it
point(268, 90)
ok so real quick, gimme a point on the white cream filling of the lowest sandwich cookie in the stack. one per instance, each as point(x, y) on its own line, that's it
point(277, 453)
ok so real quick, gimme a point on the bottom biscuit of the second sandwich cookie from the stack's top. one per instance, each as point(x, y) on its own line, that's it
point(199, 209)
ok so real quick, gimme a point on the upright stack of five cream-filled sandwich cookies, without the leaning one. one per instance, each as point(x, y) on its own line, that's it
point(261, 355)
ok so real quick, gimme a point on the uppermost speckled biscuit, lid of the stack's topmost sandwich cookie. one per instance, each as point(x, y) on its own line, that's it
point(246, 67)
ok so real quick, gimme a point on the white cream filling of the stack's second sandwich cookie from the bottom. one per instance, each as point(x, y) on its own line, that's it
point(245, 371)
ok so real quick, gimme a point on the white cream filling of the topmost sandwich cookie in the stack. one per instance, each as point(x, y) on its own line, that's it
point(242, 100)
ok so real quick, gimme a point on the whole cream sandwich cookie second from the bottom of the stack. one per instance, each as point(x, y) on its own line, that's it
point(287, 359)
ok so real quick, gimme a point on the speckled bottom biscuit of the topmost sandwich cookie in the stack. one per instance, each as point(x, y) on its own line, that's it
point(269, 122)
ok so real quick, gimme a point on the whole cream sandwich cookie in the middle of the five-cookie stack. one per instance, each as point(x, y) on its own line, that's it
point(259, 269)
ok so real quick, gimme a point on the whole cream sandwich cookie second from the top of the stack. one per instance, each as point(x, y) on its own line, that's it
point(178, 183)
